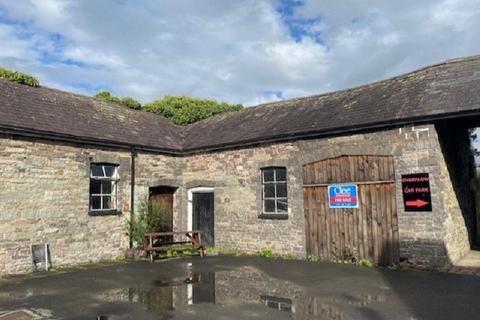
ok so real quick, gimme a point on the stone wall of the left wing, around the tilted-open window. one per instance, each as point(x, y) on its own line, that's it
point(44, 197)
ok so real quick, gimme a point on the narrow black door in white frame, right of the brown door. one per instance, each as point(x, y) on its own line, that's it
point(203, 216)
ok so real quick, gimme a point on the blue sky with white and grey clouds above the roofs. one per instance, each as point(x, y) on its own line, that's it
point(241, 51)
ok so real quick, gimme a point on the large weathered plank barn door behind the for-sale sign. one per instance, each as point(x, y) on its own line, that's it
point(367, 232)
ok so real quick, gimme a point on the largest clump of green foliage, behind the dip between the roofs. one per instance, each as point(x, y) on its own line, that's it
point(184, 110)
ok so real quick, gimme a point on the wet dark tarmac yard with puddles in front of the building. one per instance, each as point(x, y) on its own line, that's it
point(239, 288)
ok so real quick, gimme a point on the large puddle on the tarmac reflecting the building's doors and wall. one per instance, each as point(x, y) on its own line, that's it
point(246, 287)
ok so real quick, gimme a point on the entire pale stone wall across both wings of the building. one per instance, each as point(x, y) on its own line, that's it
point(44, 190)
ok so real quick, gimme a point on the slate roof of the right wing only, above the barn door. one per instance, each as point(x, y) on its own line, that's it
point(437, 91)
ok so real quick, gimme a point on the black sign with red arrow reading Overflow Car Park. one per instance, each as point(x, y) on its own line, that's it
point(416, 192)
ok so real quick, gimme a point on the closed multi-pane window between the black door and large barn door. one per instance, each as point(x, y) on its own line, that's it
point(274, 181)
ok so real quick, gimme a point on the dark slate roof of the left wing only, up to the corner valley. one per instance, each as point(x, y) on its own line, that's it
point(60, 114)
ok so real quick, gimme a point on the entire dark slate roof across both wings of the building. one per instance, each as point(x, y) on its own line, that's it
point(444, 90)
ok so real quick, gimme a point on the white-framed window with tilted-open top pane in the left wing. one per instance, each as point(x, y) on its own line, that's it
point(103, 187)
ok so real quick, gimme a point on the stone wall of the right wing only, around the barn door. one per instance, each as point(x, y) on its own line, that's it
point(235, 174)
